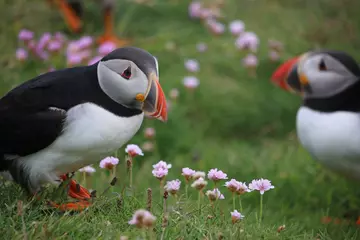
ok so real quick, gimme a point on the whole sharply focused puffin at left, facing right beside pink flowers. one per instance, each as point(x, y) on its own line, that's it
point(61, 121)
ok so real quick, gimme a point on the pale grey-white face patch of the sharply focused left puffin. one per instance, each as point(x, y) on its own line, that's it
point(122, 80)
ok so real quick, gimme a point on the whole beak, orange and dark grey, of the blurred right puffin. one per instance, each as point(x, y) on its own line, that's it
point(289, 77)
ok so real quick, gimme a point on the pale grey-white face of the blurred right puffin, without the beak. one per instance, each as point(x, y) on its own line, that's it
point(326, 75)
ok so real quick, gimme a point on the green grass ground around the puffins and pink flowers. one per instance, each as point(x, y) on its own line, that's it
point(241, 125)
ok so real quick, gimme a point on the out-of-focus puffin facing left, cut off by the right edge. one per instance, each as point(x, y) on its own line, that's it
point(328, 122)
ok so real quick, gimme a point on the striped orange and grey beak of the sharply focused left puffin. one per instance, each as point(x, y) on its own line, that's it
point(155, 101)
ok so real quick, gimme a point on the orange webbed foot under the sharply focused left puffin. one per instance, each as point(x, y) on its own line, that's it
point(75, 191)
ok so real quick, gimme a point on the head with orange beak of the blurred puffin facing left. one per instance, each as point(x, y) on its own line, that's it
point(318, 74)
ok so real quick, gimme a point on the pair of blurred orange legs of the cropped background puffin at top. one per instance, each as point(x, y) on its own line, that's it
point(72, 12)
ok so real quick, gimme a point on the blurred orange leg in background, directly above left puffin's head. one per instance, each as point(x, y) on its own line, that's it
point(109, 35)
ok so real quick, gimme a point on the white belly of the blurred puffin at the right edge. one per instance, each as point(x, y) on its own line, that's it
point(331, 138)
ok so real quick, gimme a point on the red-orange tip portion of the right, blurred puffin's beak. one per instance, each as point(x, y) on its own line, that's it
point(280, 76)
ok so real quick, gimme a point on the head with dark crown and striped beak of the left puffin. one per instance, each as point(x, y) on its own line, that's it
point(130, 77)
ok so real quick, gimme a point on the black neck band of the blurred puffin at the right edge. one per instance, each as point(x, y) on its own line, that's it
point(347, 100)
